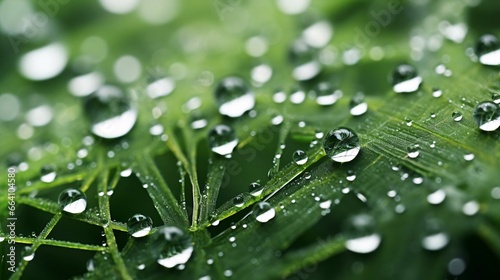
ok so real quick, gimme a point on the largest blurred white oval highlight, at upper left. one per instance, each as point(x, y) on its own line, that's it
point(44, 63)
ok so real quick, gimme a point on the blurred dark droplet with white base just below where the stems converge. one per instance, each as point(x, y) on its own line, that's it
point(176, 247)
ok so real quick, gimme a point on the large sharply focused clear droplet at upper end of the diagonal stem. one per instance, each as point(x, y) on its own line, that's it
point(341, 144)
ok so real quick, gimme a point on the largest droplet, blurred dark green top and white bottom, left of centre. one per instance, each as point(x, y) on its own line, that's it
point(110, 111)
